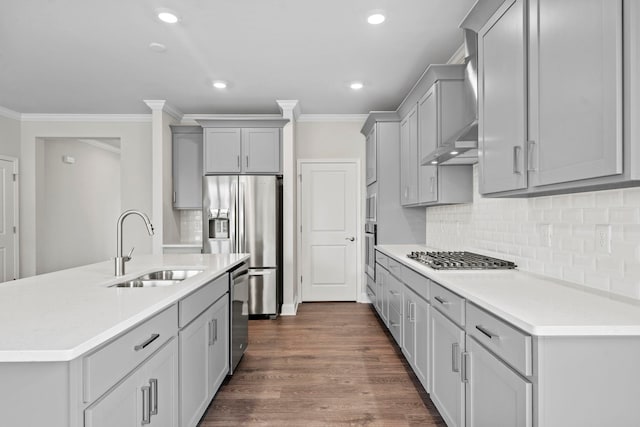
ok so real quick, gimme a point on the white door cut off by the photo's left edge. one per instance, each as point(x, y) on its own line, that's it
point(7, 221)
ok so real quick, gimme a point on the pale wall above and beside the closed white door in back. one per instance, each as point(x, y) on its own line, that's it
point(335, 140)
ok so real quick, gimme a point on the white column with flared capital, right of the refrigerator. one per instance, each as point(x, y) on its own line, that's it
point(290, 298)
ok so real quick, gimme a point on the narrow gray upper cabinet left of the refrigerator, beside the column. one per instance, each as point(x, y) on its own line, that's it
point(187, 167)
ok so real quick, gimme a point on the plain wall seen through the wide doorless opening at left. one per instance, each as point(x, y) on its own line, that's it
point(78, 206)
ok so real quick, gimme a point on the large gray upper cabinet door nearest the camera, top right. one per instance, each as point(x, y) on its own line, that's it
point(575, 49)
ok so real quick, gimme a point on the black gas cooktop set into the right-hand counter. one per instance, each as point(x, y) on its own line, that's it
point(460, 261)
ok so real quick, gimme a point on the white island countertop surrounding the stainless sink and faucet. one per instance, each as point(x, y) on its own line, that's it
point(62, 315)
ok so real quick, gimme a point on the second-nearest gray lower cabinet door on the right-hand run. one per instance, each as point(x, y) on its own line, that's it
point(447, 388)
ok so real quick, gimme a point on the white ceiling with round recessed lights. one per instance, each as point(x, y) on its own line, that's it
point(92, 56)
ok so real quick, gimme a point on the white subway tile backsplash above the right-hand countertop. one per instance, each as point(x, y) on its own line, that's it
point(513, 228)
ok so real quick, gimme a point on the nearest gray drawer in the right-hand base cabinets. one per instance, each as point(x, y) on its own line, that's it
point(507, 342)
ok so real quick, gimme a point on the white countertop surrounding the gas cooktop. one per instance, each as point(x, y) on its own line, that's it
point(538, 305)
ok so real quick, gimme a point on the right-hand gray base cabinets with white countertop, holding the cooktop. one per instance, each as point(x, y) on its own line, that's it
point(505, 347)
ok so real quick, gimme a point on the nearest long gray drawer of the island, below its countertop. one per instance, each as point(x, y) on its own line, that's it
point(106, 366)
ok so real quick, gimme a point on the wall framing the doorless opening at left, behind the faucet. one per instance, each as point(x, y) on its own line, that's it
point(135, 177)
